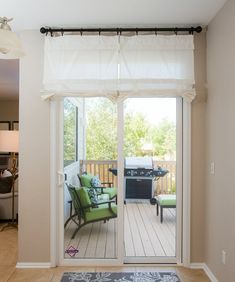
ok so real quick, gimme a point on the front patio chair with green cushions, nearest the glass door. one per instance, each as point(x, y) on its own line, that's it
point(88, 212)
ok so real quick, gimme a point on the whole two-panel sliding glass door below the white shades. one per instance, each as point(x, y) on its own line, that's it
point(120, 161)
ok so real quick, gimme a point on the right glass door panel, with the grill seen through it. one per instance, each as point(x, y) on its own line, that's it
point(150, 179)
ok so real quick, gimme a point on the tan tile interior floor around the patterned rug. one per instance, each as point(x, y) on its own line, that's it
point(8, 271)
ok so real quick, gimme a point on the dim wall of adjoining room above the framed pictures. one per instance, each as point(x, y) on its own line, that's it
point(9, 110)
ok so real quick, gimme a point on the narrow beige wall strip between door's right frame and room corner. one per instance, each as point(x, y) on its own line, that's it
point(198, 151)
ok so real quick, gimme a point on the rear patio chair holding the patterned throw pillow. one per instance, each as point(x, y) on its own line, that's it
point(90, 181)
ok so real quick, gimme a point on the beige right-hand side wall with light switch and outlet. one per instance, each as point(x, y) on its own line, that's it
point(220, 187)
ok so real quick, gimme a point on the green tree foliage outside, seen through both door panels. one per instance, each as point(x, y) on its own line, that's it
point(101, 140)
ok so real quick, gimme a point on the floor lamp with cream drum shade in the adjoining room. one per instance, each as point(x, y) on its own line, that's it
point(9, 142)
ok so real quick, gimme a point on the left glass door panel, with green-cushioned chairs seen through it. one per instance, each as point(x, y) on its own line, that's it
point(90, 151)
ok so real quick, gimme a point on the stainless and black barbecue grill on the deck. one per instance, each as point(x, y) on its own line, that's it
point(139, 175)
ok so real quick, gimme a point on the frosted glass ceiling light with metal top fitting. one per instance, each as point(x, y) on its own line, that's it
point(10, 46)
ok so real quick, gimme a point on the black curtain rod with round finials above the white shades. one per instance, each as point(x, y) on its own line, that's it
point(118, 30)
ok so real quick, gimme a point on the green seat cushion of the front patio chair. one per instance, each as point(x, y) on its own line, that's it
point(101, 213)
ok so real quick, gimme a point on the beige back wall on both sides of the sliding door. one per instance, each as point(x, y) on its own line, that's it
point(34, 214)
